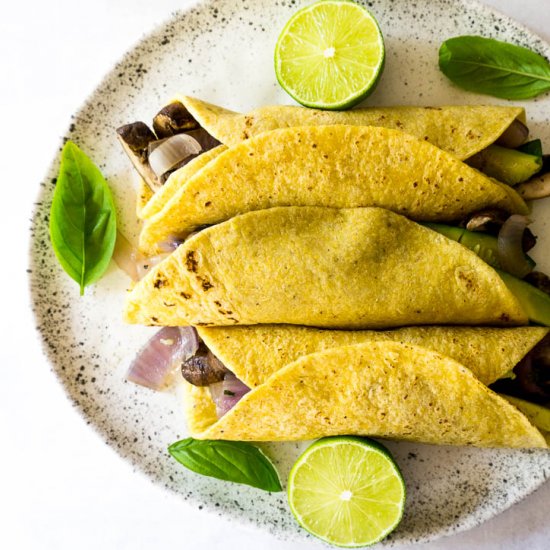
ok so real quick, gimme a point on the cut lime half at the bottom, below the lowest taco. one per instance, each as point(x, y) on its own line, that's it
point(347, 491)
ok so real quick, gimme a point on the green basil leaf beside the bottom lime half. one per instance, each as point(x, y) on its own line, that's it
point(228, 460)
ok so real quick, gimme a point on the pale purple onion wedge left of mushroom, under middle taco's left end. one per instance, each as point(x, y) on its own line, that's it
point(155, 364)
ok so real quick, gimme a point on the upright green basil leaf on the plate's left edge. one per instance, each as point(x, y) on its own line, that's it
point(82, 218)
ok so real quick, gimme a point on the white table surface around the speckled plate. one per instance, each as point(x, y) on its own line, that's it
point(61, 487)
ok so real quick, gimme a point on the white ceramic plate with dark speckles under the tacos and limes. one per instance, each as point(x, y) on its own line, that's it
point(222, 51)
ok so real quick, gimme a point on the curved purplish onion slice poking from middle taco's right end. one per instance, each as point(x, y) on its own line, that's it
point(510, 246)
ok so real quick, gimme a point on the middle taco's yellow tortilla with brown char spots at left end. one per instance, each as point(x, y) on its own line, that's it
point(324, 267)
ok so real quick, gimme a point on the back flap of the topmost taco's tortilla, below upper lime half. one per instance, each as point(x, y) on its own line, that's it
point(460, 130)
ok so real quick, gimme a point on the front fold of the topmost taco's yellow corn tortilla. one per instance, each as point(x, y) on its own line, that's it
point(336, 166)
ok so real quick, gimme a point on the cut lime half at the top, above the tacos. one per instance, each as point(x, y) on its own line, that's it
point(330, 54)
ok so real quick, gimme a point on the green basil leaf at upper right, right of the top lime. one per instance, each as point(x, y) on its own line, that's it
point(495, 68)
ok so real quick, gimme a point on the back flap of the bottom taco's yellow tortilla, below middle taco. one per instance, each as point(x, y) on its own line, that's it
point(254, 353)
